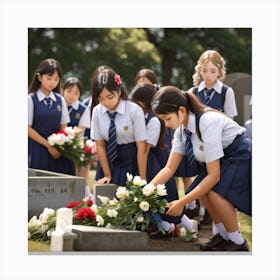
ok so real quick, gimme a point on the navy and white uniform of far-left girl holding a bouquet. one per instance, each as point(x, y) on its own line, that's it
point(45, 120)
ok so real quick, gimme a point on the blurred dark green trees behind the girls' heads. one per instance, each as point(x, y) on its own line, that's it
point(171, 52)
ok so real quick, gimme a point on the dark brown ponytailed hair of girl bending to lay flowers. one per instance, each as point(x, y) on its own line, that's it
point(168, 99)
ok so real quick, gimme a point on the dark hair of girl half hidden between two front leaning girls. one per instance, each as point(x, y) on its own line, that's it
point(144, 93)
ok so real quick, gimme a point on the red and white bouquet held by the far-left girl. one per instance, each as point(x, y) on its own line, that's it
point(73, 146)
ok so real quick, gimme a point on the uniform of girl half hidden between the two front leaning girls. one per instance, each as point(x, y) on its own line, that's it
point(157, 160)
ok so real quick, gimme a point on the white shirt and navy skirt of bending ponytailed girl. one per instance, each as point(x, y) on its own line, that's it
point(223, 139)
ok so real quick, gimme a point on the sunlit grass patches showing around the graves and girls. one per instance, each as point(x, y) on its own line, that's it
point(244, 220)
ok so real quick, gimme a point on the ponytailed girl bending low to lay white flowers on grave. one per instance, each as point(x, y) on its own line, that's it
point(219, 144)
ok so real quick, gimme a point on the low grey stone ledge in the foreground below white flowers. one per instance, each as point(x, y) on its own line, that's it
point(92, 238)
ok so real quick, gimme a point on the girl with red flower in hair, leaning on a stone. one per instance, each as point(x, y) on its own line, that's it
point(119, 130)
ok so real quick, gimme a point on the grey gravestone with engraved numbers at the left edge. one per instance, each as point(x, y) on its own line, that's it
point(52, 190)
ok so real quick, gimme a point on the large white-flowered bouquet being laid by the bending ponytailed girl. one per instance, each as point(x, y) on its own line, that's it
point(133, 207)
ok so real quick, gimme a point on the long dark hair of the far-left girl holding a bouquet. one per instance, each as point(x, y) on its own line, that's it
point(47, 66)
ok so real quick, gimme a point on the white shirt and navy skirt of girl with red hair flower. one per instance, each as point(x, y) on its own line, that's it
point(130, 128)
